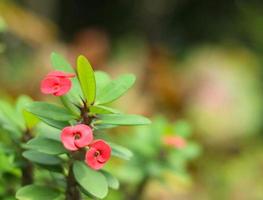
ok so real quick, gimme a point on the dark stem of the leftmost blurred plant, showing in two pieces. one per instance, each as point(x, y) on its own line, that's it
point(27, 168)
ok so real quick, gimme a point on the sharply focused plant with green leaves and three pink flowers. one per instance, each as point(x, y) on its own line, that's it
point(77, 151)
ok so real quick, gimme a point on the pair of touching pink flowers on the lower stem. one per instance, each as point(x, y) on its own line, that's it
point(79, 136)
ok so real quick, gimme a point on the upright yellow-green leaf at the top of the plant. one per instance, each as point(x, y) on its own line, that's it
point(87, 79)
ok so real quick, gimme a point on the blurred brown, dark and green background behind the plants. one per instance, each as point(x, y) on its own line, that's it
point(197, 60)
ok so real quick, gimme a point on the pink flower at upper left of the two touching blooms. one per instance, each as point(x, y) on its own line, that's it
point(75, 137)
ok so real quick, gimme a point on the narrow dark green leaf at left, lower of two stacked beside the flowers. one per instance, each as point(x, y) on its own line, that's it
point(41, 158)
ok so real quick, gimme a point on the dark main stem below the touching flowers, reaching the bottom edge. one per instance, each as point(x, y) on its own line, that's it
point(72, 192)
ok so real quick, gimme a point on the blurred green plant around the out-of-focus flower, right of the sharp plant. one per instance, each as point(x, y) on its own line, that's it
point(154, 159)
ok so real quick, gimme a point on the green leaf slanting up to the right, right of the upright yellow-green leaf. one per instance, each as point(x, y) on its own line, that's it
point(115, 89)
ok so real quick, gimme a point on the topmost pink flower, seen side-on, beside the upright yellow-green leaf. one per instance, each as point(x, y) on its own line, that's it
point(56, 83)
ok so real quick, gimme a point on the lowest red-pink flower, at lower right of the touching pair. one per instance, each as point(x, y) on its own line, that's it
point(98, 154)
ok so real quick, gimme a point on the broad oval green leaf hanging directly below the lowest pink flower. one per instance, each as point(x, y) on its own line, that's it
point(90, 180)
